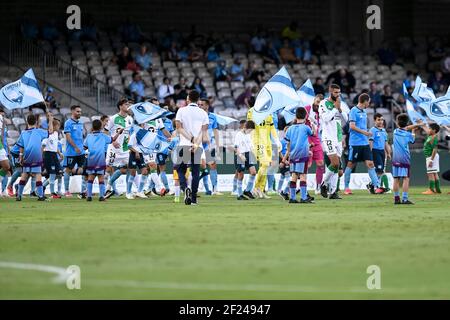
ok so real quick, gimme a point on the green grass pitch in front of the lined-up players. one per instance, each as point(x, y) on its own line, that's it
point(228, 249)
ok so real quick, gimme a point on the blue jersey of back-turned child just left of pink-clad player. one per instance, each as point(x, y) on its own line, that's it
point(297, 135)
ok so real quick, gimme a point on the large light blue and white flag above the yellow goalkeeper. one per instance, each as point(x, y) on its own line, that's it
point(278, 93)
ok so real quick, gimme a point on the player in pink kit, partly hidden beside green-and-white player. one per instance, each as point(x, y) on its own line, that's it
point(314, 140)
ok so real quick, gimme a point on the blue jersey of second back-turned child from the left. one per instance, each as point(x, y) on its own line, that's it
point(96, 143)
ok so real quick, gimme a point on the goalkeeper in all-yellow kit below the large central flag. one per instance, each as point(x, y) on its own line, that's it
point(263, 143)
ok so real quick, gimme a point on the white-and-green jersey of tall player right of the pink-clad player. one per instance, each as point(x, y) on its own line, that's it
point(330, 121)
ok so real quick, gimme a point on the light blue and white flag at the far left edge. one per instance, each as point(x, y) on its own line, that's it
point(21, 93)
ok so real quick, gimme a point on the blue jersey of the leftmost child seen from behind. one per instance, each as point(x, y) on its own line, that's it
point(31, 140)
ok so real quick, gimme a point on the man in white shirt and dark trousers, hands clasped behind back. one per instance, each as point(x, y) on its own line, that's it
point(192, 128)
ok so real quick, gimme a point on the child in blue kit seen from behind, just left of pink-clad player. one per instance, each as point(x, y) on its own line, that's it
point(297, 152)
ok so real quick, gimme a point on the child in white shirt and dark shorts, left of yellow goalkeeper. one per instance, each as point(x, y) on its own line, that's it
point(245, 158)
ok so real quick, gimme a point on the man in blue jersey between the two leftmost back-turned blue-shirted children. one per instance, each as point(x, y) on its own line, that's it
point(74, 153)
